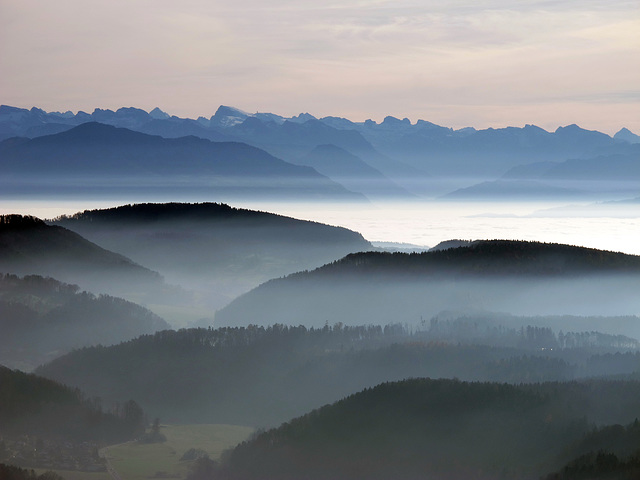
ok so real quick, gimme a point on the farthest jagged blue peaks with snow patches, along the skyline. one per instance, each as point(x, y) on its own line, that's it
point(398, 148)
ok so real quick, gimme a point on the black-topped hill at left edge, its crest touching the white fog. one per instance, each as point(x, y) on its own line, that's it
point(30, 246)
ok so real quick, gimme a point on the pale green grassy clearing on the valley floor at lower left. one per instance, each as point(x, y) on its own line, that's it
point(140, 462)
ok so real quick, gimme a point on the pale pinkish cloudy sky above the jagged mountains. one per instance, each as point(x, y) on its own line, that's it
point(456, 63)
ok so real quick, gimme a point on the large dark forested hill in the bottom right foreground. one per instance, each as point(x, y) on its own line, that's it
point(449, 429)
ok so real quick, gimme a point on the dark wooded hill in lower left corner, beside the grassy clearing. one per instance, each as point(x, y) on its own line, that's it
point(32, 405)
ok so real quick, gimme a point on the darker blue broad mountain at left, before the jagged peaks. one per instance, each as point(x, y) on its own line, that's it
point(99, 155)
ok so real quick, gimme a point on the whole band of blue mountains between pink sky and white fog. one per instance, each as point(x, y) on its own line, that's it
point(393, 158)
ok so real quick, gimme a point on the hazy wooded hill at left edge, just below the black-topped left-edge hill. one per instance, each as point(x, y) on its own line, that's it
point(41, 318)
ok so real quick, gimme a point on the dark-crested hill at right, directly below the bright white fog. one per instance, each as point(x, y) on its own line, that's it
point(526, 278)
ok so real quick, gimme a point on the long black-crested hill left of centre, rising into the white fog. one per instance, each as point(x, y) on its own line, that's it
point(213, 248)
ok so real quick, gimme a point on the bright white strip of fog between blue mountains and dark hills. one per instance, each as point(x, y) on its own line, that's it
point(422, 222)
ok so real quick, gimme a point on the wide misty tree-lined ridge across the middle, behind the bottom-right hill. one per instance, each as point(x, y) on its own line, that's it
point(263, 376)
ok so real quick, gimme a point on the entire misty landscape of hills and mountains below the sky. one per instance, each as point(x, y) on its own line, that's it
point(249, 296)
